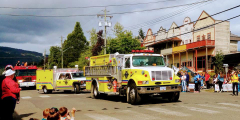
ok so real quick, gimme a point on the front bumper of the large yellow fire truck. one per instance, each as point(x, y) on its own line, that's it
point(159, 89)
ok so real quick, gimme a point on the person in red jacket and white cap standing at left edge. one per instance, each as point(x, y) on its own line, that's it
point(9, 90)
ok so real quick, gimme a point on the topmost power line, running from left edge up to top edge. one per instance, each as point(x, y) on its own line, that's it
point(101, 6)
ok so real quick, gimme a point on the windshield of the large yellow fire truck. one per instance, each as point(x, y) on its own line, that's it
point(147, 61)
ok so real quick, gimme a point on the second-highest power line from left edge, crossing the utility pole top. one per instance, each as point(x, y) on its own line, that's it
point(109, 13)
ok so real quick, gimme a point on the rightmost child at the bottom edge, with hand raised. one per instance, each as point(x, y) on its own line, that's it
point(63, 111)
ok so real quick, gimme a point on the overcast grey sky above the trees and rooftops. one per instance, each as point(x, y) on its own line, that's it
point(39, 33)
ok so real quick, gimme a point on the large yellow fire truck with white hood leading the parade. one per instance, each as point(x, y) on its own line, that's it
point(132, 75)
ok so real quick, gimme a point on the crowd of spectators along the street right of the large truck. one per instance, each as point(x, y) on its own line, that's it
point(205, 79)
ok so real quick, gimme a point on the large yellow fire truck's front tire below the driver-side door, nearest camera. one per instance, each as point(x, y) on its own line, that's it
point(133, 96)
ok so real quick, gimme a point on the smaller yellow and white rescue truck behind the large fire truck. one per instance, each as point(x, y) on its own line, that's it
point(60, 79)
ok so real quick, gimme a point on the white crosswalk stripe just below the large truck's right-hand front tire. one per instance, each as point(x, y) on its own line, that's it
point(168, 112)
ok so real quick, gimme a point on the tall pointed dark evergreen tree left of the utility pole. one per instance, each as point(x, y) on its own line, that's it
point(75, 44)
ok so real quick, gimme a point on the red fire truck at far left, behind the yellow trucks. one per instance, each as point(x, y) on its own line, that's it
point(26, 75)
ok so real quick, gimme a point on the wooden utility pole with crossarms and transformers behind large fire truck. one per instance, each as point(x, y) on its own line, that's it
point(106, 24)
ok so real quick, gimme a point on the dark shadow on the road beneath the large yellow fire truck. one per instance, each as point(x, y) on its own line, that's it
point(145, 100)
